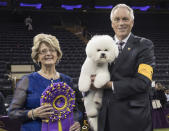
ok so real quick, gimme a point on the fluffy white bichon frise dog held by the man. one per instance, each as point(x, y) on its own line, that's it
point(100, 51)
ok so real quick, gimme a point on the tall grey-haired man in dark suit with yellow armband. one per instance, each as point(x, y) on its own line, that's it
point(126, 104)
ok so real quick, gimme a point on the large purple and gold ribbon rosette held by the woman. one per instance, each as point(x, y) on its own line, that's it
point(61, 96)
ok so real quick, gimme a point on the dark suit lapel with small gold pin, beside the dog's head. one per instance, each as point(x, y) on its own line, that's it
point(125, 52)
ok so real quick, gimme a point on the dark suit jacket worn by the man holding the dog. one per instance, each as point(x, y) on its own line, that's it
point(127, 108)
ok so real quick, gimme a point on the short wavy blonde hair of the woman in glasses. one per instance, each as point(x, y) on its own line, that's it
point(46, 38)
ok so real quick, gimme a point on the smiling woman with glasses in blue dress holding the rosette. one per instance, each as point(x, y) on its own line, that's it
point(25, 105)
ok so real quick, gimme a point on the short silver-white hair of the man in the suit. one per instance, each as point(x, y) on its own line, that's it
point(122, 6)
